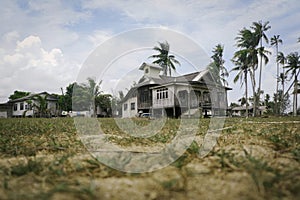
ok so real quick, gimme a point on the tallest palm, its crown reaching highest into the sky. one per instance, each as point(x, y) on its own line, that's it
point(259, 30)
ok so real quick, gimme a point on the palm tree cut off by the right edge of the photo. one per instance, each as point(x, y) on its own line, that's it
point(293, 66)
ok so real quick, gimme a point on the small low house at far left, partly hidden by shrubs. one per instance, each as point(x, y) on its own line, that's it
point(28, 106)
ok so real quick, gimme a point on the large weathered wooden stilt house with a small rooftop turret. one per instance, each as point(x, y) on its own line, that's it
point(175, 96)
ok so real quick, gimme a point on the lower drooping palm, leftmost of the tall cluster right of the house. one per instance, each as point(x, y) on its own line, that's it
point(241, 60)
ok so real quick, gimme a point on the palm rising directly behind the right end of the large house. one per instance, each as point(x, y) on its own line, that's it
point(217, 67)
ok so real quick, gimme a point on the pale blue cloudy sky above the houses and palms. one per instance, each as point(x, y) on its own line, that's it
point(44, 44)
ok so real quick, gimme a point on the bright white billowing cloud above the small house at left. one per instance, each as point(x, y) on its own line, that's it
point(33, 68)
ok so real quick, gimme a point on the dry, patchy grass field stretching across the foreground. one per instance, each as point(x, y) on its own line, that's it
point(45, 159)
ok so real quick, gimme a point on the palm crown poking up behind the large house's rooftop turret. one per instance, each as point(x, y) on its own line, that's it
point(164, 59)
